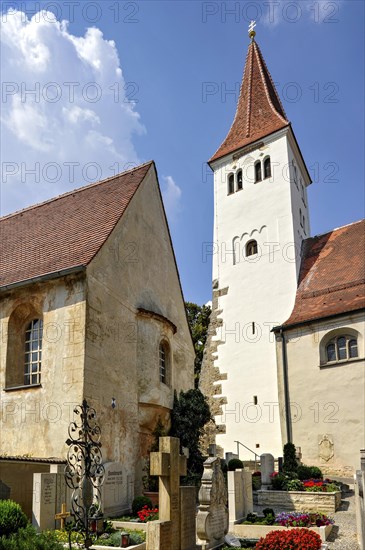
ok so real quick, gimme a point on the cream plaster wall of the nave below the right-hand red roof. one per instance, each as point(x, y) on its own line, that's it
point(325, 400)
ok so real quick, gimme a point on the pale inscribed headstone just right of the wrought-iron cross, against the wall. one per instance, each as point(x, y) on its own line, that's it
point(116, 490)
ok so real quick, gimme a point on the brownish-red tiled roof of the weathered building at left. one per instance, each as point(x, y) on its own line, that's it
point(64, 232)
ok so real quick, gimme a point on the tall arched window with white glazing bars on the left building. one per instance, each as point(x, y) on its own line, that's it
point(33, 352)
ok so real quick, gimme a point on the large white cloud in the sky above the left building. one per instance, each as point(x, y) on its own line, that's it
point(64, 107)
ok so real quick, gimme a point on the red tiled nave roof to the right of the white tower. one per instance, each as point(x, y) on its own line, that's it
point(332, 274)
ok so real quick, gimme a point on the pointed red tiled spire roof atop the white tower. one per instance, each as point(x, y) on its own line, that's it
point(259, 109)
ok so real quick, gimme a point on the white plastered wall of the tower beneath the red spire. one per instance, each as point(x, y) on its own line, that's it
point(256, 292)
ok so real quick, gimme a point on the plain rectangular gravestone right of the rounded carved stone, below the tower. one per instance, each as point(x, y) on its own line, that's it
point(240, 498)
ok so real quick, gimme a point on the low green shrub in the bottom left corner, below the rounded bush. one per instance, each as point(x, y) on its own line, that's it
point(28, 539)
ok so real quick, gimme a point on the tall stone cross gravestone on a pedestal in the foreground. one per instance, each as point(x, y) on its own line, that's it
point(175, 528)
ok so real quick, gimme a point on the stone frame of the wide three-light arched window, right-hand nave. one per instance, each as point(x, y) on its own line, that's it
point(332, 339)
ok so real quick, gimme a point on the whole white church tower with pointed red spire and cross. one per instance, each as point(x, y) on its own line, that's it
point(260, 220)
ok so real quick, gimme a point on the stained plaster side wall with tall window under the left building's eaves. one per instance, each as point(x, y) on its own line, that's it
point(34, 421)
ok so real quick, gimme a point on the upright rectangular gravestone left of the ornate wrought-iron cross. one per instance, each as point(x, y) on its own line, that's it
point(44, 501)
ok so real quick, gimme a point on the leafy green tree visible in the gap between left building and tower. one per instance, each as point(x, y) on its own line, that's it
point(198, 318)
